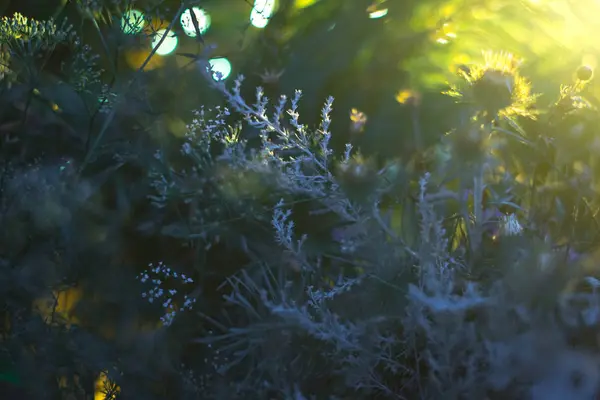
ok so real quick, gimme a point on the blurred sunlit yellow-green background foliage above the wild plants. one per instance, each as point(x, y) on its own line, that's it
point(332, 47)
